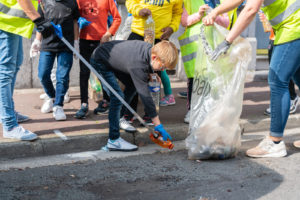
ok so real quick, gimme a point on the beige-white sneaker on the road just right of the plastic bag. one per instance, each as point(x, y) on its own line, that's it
point(268, 149)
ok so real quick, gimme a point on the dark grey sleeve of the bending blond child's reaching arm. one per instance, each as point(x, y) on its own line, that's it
point(140, 80)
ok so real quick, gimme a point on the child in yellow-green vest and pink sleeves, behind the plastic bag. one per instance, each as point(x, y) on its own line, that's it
point(192, 14)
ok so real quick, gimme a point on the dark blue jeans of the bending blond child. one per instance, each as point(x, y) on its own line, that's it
point(115, 103)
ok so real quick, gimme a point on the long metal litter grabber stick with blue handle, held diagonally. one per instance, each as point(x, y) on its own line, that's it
point(58, 32)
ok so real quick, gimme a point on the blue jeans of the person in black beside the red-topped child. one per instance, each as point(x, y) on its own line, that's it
point(64, 64)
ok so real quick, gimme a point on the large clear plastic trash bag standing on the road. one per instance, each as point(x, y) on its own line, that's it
point(217, 97)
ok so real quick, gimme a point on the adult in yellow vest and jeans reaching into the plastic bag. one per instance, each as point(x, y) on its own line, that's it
point(284, 16)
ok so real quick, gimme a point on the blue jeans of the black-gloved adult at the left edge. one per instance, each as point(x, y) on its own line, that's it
point(11, 58)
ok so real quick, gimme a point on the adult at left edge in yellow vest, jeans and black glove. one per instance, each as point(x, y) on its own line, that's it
point(15, 22)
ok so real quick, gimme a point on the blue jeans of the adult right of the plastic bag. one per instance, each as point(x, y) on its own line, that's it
point(284, 66)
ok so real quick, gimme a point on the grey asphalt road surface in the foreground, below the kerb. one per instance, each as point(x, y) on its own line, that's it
point(159, 175)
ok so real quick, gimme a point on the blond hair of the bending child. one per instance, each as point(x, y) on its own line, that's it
point(167, 52)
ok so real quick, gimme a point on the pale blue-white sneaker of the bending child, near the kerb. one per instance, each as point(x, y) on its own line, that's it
point(120, 145)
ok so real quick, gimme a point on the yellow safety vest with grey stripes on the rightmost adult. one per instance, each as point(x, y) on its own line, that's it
point(284, 16)
